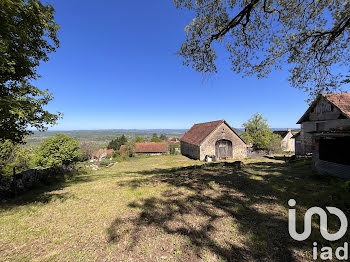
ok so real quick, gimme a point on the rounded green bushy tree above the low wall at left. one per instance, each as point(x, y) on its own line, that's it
point(57, 151)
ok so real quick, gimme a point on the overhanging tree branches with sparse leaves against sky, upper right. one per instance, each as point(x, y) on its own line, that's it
point(262, 35)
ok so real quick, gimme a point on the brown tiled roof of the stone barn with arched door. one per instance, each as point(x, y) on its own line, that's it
point(199, 132)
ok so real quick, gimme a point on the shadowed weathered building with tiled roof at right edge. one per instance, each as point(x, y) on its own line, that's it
point(325, 132)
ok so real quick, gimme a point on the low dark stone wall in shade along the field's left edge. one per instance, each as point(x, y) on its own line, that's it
point(26, 180)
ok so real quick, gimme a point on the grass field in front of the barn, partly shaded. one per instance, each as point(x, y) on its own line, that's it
point(163, 208)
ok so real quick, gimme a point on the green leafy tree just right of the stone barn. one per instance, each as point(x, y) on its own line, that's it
point(258, 132)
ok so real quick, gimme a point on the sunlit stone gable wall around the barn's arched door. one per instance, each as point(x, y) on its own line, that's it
point(223, 132)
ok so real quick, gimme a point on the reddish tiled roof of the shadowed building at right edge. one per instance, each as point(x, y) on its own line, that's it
point(339, 100)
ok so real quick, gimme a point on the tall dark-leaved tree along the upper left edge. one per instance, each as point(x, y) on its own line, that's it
point(28, 33)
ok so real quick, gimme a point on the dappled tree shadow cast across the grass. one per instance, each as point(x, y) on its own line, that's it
point(254, 196)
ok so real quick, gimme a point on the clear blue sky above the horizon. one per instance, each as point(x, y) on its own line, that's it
point(116, 68)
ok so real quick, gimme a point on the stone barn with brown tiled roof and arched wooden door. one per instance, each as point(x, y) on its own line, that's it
point(214, 138)
